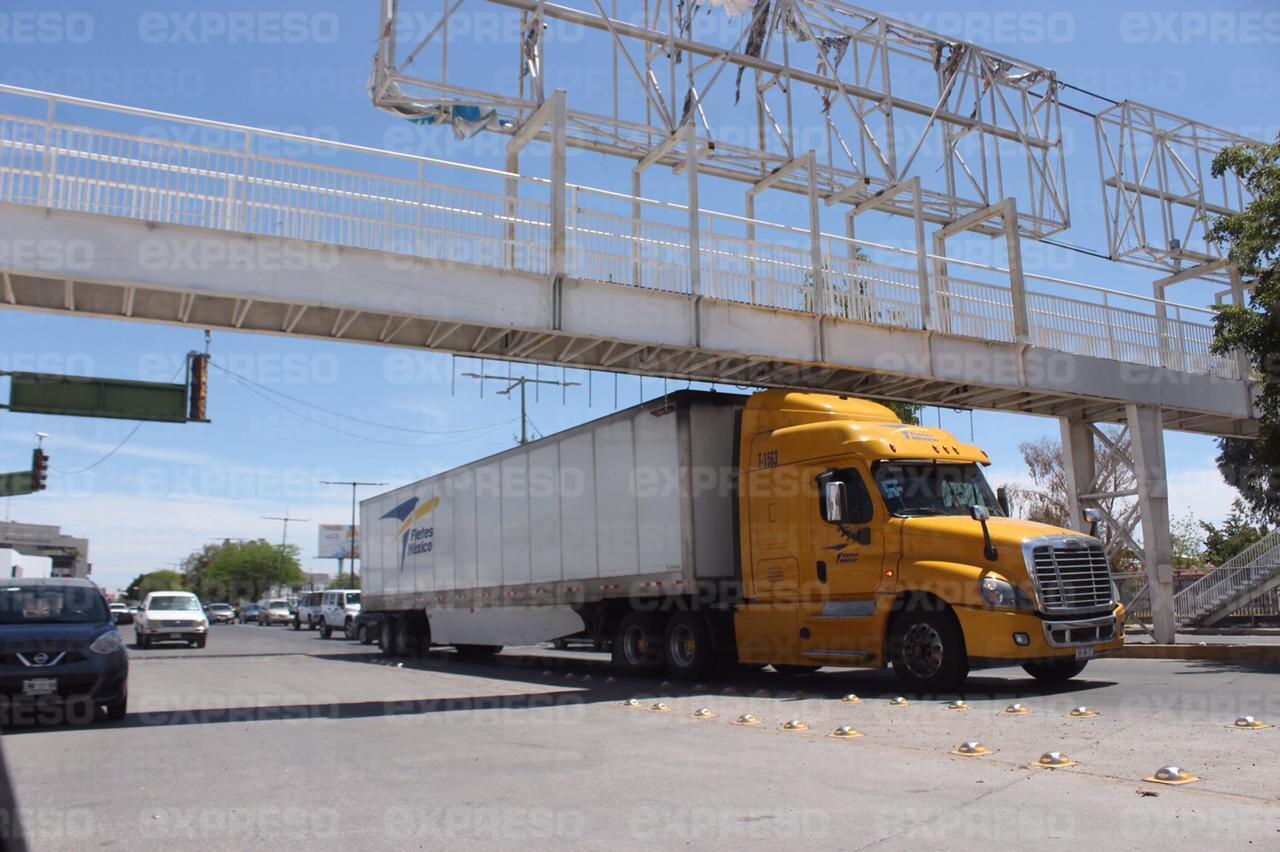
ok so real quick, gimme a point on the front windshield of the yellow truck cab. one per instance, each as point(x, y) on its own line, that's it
point(913, 489)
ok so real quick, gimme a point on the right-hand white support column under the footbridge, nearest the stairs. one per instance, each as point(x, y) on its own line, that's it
point(1146, 430)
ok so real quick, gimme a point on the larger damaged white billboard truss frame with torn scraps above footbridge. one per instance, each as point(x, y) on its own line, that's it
point(761, 83)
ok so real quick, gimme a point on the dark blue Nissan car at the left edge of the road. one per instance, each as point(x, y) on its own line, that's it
point(60, 652)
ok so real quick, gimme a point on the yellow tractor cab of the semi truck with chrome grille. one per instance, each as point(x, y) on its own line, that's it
point(867, 542)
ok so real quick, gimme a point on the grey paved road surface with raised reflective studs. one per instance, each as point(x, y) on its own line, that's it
point(282, 739)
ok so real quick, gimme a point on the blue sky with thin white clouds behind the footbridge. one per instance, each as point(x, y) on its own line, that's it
point(171, 488)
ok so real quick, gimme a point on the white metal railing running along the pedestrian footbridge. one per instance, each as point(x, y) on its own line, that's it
point(435, 209)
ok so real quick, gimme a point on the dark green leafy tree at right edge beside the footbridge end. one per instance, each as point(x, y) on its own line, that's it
point(1252, 242)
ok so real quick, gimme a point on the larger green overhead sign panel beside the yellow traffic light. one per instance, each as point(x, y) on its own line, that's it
point(81, 397)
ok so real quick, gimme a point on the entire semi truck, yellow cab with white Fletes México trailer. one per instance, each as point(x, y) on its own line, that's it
point(703, 532)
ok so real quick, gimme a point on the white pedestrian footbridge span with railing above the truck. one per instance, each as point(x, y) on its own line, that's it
point(121, 213)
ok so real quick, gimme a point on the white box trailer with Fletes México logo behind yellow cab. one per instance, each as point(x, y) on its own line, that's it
point(538, 543)
